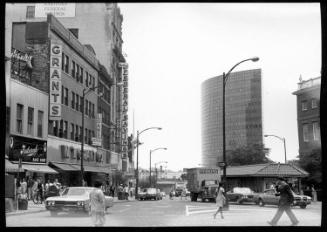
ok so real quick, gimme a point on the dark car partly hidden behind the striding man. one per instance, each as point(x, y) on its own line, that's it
point(270, 197)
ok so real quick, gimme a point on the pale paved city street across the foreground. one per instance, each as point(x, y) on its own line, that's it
point(174, 213)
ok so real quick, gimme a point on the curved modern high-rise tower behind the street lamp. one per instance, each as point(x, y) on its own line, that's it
point(243, 111)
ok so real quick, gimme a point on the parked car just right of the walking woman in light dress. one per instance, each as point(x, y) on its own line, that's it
point(241, 195)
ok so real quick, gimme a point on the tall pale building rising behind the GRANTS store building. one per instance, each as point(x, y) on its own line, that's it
point(98, 24)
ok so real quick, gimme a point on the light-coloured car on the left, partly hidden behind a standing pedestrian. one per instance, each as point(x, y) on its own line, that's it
point(73, 199)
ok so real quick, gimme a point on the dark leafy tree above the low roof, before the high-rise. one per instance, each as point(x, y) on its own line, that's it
point(252, 154)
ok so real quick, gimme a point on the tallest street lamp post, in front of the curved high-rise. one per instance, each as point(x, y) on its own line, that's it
point(225, 78)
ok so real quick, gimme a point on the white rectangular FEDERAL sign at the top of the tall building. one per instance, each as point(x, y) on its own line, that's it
point(58, 10)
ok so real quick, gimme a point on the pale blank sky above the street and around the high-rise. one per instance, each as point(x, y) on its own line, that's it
point(172, 48)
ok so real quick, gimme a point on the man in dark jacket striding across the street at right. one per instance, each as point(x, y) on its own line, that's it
point(285, 201)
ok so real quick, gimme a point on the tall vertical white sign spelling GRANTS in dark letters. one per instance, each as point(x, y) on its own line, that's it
point(55, 81)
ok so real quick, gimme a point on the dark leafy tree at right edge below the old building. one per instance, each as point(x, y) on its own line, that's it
point(311, 162)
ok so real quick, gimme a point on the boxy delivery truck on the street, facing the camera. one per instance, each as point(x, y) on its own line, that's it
point(203, 183)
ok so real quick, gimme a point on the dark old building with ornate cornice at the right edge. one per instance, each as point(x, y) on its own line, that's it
point(308, 115)
